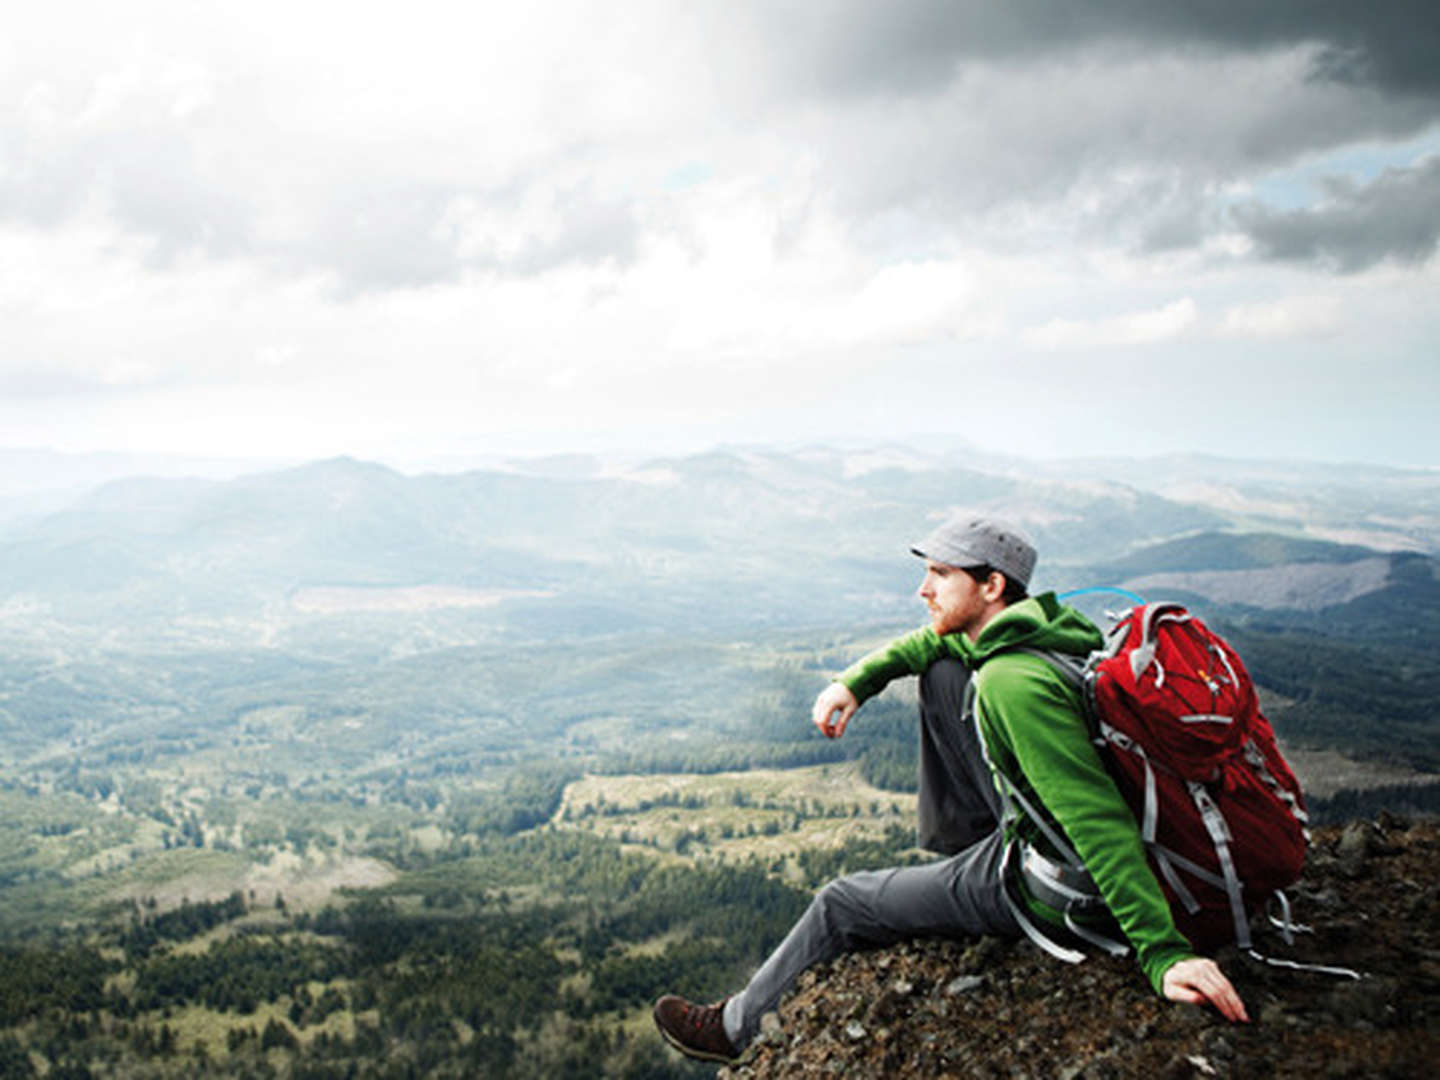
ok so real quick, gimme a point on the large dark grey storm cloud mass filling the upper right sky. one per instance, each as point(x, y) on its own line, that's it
point(1134, 114)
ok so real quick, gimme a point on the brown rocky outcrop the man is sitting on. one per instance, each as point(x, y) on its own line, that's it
point(993, 1009)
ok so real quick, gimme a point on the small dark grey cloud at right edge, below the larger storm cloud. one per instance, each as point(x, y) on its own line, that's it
point(1396, 217)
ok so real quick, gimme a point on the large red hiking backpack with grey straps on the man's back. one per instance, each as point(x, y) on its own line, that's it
point(1180, 726)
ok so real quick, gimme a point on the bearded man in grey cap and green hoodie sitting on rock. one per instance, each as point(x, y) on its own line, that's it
point(1029, 748)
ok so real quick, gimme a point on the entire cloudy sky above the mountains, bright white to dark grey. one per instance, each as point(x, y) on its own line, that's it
point(418, 231)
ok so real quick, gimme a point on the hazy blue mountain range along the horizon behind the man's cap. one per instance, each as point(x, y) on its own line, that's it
point(731, 536)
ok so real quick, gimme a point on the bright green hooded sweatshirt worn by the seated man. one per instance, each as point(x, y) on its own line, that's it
point(1036, 737)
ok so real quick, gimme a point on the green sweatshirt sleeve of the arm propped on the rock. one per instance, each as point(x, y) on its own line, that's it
point(1033, 725)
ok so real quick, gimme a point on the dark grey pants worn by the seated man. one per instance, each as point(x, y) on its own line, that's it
point(961, 895)
